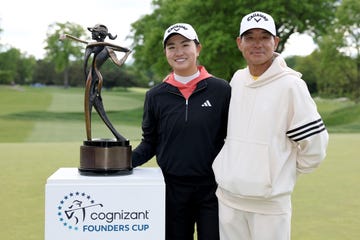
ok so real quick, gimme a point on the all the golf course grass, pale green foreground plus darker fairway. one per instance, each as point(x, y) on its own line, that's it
point(41, 130)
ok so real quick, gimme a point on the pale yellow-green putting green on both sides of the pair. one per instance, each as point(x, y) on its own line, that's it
point(325, 203)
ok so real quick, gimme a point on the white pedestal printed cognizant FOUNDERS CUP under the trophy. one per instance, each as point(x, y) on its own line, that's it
point(130, 207)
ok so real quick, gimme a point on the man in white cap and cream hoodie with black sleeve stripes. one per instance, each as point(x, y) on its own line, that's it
point(274, 134)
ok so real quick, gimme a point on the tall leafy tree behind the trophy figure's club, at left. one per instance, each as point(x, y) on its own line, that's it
point(63, 52)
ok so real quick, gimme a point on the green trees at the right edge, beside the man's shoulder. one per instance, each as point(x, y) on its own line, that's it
point(333, 70)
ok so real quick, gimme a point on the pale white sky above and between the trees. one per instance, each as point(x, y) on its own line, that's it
point(24, 23)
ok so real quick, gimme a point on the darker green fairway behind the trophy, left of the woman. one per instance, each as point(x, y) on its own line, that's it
point(57, 114)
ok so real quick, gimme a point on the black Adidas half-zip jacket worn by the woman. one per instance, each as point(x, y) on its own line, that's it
point(185, 135)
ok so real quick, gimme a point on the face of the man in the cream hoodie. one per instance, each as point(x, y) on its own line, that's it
point(257, 46)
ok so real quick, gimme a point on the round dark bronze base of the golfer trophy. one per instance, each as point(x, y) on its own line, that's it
point(105, 157)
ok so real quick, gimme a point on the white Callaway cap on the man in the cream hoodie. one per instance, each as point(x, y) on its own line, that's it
point(258, 20)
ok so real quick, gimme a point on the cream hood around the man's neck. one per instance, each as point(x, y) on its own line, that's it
point(277, 70)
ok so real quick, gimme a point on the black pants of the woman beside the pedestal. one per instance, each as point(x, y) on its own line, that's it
point(189, 204)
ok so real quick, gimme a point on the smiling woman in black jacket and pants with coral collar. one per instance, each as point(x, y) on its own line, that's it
point(184, 125)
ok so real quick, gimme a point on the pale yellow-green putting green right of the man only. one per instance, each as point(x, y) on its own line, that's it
point(326, 202)
